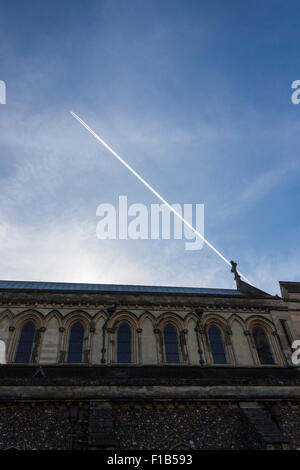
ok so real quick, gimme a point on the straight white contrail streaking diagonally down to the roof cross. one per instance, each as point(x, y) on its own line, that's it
point(115, 154)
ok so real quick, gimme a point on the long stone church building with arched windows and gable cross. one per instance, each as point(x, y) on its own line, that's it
point(94, 366)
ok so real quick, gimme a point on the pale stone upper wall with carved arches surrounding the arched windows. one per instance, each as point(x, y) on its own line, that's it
point(147, 314)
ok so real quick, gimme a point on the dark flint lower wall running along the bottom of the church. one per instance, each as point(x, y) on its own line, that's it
point(136, 425)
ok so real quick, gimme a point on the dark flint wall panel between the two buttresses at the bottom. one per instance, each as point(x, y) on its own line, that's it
point(196, 426)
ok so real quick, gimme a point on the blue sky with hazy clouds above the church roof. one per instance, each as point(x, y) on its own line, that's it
point(195, 95)
